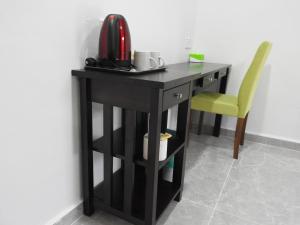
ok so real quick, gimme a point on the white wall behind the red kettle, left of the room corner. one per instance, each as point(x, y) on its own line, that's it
point(40, 42)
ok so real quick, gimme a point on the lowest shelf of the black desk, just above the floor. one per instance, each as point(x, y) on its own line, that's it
point(167, 191)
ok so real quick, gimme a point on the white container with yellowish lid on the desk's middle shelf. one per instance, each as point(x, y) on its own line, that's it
point(163, 147)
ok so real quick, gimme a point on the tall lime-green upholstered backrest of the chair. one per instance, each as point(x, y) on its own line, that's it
point(250, 81)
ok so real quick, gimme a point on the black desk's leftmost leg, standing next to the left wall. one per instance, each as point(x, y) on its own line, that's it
point(86, 142)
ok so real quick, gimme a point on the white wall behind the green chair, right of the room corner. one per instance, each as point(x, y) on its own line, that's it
point(230, 31)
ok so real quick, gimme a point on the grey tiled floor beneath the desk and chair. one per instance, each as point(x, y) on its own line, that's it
point(261, 188)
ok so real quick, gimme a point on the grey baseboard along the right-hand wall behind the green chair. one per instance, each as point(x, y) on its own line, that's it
point(252, 137)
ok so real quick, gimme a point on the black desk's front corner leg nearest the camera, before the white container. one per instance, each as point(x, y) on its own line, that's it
point(153, 153)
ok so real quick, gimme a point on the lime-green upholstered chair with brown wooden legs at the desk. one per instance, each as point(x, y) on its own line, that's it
point(237, 106)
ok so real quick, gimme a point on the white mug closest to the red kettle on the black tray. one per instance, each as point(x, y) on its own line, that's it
point(144, 61)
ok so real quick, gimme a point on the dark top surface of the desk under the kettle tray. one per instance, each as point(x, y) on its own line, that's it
point(174, 75)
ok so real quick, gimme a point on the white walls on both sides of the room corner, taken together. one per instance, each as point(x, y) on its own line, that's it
point(41, 41)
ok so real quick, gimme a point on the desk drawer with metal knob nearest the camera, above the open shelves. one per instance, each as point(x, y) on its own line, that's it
point(175, 96)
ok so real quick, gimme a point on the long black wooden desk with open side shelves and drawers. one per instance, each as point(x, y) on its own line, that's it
point(137, 192)
